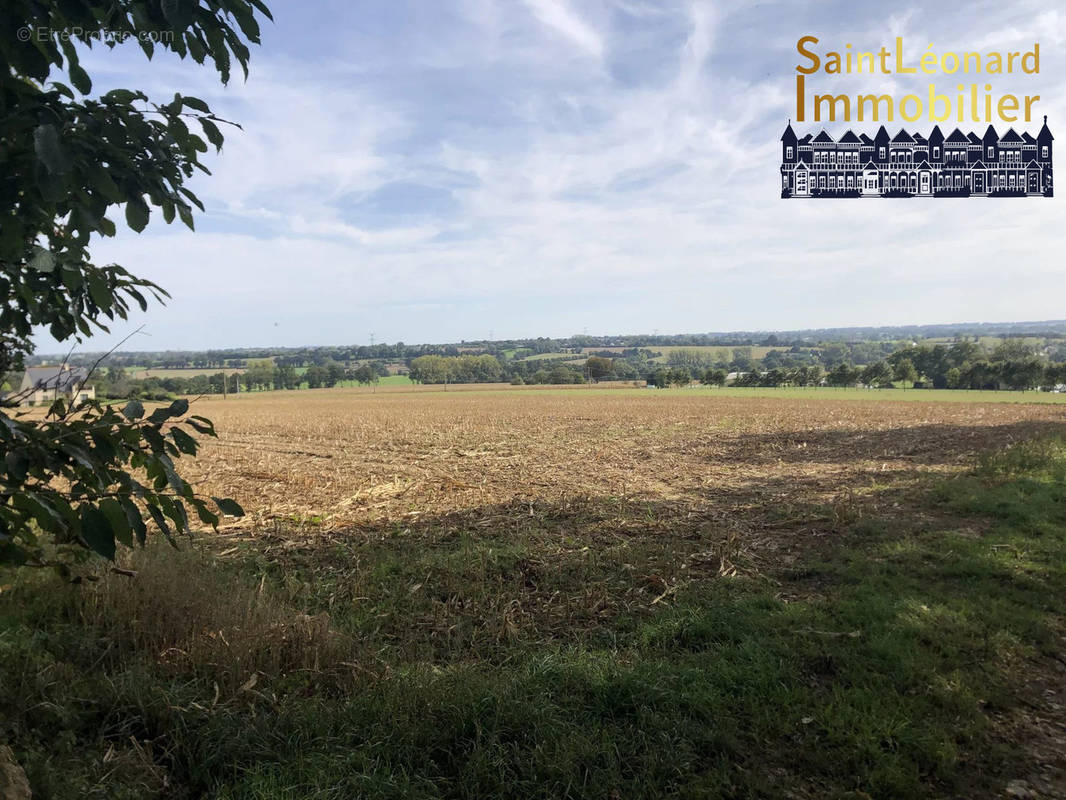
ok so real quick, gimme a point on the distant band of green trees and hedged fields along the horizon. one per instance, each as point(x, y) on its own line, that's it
point(1012, 363)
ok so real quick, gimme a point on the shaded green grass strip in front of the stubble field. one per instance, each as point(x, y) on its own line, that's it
point(890, 661)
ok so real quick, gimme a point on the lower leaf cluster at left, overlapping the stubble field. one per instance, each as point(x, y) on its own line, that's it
point(90, 476)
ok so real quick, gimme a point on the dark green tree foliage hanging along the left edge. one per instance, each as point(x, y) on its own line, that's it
point(88, 476)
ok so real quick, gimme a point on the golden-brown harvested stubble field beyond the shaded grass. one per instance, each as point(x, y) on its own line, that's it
point(356, 460)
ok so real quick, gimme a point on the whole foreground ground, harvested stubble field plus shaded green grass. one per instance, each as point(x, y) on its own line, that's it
point(572, 593)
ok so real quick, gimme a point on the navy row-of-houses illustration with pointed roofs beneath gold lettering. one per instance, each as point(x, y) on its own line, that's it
point(913, 166)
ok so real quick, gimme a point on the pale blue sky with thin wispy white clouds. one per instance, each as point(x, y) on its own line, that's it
point(428, 172)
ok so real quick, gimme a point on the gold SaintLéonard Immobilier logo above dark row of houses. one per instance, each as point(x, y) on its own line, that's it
point(913, 164)
